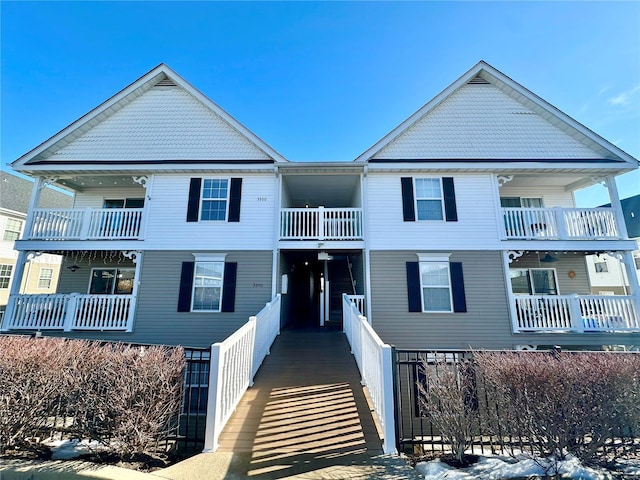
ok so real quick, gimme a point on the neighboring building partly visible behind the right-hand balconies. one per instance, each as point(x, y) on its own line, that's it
point(606, 273)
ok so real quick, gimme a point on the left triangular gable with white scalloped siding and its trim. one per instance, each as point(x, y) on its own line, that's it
point(159, 118)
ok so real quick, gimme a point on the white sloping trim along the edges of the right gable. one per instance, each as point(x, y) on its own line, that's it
point(506, 84)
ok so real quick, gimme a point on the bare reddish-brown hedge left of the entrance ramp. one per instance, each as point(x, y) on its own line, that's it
point(127, 398)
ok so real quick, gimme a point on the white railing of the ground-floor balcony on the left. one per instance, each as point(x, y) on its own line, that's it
point(69, 312)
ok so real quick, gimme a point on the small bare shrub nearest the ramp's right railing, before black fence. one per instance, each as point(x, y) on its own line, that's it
point(446, 397)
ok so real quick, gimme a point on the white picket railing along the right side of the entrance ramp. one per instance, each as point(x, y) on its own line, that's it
point(375, 362)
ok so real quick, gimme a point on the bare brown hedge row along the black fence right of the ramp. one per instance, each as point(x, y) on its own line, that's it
point(556, 403)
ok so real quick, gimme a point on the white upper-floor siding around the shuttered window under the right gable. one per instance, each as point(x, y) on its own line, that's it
point(476, 227)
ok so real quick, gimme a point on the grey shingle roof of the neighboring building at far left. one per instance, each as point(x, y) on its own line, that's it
point(15, 193)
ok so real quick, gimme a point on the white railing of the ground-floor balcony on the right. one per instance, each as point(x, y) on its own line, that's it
point(573, 313)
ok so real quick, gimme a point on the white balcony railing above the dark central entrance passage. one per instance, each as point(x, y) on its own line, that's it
point(321, 223)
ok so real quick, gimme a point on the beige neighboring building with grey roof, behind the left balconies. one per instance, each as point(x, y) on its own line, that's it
point(43, 270)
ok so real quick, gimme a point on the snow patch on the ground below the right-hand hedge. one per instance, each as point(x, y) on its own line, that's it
point(496, 468)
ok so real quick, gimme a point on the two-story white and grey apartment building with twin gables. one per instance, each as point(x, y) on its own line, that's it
point(458, 229)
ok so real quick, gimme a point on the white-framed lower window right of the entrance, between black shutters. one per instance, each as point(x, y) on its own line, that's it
point(435, 282)
